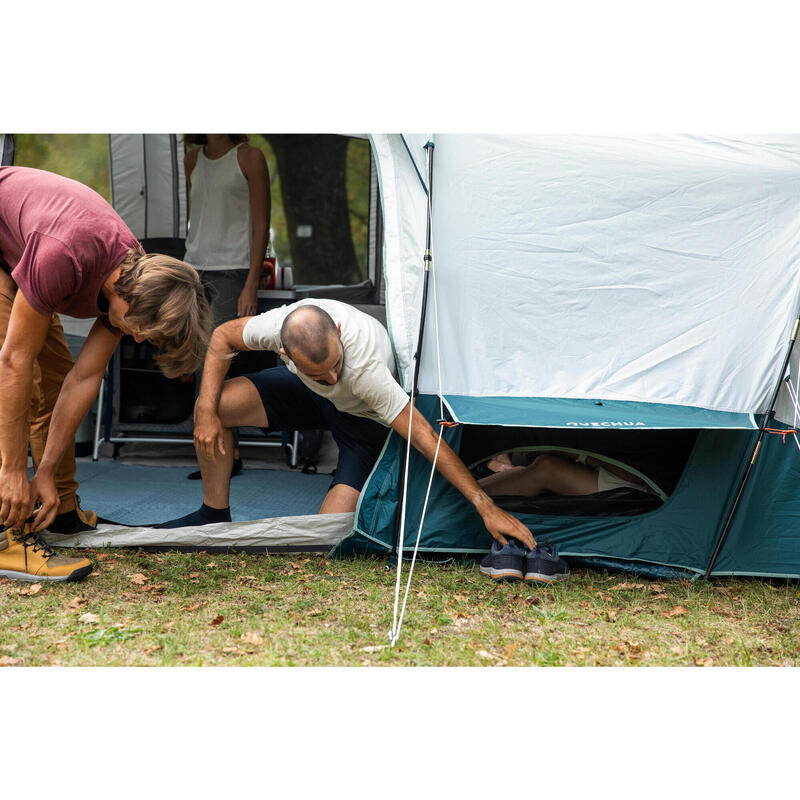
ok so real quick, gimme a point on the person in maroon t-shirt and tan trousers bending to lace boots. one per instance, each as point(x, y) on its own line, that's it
point(63, 249)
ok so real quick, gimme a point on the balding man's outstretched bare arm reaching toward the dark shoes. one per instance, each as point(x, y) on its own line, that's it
point(499, 523)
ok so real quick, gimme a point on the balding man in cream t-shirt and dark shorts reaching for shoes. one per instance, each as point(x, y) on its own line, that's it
point(339, 374)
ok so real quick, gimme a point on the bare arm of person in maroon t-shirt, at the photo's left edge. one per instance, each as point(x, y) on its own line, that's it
point(27, 330)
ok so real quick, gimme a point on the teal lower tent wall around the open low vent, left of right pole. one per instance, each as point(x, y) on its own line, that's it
point(679, 534)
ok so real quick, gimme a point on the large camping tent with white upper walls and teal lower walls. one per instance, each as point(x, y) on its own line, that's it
point(631, 297)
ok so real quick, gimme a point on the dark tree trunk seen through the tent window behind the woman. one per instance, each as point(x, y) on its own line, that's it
point(312, 171)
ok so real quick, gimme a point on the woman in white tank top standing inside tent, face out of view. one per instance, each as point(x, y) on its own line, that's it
point(228, 225)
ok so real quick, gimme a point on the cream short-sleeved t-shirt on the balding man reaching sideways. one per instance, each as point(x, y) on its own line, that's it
point(367, 385)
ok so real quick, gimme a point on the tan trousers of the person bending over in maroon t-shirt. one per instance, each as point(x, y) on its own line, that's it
point(49, 371)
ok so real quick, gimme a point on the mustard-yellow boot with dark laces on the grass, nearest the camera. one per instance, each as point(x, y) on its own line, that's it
point(26, 557)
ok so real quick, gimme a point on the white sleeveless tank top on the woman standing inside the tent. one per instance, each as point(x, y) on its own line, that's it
point(220, 224)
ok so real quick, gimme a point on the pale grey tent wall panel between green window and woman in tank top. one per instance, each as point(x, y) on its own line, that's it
point(148, 187)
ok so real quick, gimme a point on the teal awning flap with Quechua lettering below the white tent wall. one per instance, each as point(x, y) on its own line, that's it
point(549, 412)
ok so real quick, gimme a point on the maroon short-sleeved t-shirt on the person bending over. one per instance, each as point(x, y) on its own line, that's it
point(60, 240)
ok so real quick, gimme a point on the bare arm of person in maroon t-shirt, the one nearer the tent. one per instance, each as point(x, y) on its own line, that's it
point(77, 394)
